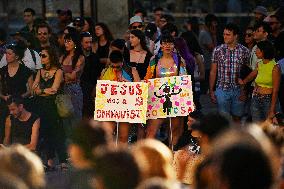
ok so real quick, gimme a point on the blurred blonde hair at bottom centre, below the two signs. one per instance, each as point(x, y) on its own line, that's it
point(154, 158)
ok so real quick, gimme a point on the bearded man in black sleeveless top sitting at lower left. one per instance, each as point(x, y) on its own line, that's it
point(22, 126)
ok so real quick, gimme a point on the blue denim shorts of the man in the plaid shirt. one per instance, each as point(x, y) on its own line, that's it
point(228, 101)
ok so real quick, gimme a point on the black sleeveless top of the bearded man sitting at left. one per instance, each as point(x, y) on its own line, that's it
point(21, 131)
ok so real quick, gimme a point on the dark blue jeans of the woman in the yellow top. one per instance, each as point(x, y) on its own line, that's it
point(260, 107)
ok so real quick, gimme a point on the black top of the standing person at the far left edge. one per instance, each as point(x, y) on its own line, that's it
point(16, 85)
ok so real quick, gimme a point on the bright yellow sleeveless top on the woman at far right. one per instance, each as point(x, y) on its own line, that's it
point(264, 74)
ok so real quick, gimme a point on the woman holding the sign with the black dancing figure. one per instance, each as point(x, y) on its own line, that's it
point(167, 65)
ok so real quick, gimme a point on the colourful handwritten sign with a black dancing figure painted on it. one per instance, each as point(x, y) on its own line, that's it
point(169, 97)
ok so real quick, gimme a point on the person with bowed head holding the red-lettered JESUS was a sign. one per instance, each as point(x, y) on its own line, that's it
point(118, 71)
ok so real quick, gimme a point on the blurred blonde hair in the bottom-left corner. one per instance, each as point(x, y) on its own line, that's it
point(22, 163)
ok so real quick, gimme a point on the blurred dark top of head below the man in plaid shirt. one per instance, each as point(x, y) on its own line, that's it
point(212, 124)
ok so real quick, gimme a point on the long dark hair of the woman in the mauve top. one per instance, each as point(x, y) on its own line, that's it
point(78, 50)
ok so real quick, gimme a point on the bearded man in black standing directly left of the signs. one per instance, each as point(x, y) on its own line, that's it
point(91, 72)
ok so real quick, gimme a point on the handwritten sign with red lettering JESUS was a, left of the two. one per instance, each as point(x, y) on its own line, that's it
point(121, 101)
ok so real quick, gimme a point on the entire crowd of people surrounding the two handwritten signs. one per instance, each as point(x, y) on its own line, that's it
point(44, 66)
